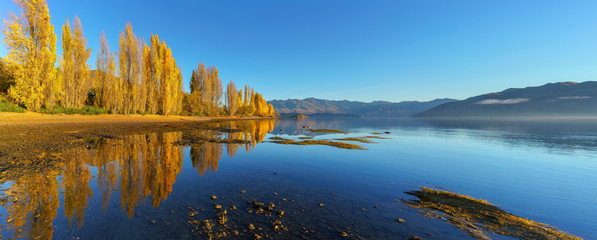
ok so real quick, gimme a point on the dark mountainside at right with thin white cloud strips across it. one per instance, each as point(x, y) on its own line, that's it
point(550, 100)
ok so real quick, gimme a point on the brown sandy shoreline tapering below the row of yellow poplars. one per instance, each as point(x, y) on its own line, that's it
point(31, 135)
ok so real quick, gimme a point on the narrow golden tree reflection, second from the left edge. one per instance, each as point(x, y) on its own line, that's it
point(75, 182)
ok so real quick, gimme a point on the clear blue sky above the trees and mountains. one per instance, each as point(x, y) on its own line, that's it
point(358, 50)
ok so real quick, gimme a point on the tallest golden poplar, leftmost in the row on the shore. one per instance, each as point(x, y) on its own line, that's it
point(31, 45)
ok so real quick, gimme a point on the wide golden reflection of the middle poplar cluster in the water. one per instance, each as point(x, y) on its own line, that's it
point(143, 165)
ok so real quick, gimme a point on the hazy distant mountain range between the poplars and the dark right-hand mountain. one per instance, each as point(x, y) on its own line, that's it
point(330, 108)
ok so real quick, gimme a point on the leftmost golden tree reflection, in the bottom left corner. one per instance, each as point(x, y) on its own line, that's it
point(33, 205)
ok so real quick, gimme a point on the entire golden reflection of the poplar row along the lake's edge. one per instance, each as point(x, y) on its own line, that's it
point(134, 168)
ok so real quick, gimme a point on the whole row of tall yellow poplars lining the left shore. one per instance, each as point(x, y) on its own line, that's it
point(137, 78)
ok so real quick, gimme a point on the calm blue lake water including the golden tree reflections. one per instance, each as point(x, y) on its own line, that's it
point(149, 186)
